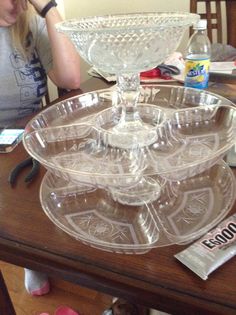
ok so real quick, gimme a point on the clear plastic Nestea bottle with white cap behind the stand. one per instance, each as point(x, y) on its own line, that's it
point(197, 61)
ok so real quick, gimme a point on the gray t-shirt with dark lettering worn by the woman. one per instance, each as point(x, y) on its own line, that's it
point(23, 83)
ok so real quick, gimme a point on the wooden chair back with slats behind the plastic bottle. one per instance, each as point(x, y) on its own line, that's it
point(213, 11)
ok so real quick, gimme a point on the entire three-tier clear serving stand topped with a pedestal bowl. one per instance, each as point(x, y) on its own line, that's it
point(134, 168)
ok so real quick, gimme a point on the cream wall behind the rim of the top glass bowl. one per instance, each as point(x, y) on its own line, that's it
point(82, 8)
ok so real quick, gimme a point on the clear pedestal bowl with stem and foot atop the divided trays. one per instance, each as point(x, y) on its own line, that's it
point(126, 45)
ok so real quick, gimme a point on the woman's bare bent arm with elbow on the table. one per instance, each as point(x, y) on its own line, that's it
point(65, 72)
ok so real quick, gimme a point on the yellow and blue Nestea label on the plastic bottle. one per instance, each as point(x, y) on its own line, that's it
point(197, 73)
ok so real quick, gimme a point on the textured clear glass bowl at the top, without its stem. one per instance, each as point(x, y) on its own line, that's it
point(127, 43)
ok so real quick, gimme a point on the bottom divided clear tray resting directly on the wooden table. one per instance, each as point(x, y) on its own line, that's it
point(184, 211)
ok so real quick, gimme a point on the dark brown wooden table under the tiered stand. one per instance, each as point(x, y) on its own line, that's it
point(156, 279)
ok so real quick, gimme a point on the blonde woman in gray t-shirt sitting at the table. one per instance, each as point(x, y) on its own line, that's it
point(30, 50)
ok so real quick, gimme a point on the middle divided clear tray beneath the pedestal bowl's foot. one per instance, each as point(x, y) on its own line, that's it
point(190, 131)
